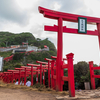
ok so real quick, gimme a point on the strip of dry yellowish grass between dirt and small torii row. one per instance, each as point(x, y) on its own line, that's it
point(37, 87)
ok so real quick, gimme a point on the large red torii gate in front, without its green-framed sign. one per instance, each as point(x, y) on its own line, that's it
point(60, 16)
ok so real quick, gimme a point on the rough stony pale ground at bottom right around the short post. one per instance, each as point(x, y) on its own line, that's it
point(84, 95)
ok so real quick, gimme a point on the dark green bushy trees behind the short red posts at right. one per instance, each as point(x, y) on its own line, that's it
point(82, 73)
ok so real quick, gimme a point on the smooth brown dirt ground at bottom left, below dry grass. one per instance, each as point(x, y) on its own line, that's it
point(18, 94)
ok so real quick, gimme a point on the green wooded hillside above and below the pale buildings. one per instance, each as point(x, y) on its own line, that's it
point(7, 39)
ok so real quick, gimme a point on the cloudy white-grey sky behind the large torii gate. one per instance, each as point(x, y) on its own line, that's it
point(23, 16)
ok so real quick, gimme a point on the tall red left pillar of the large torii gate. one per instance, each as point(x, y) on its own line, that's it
point(59, 51)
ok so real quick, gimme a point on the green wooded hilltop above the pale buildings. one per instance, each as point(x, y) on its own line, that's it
point(7, 40)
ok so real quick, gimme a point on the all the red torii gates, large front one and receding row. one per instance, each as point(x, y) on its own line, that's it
point(56, 67)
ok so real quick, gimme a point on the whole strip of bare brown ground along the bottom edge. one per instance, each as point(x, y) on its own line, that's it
point(20, 94)
